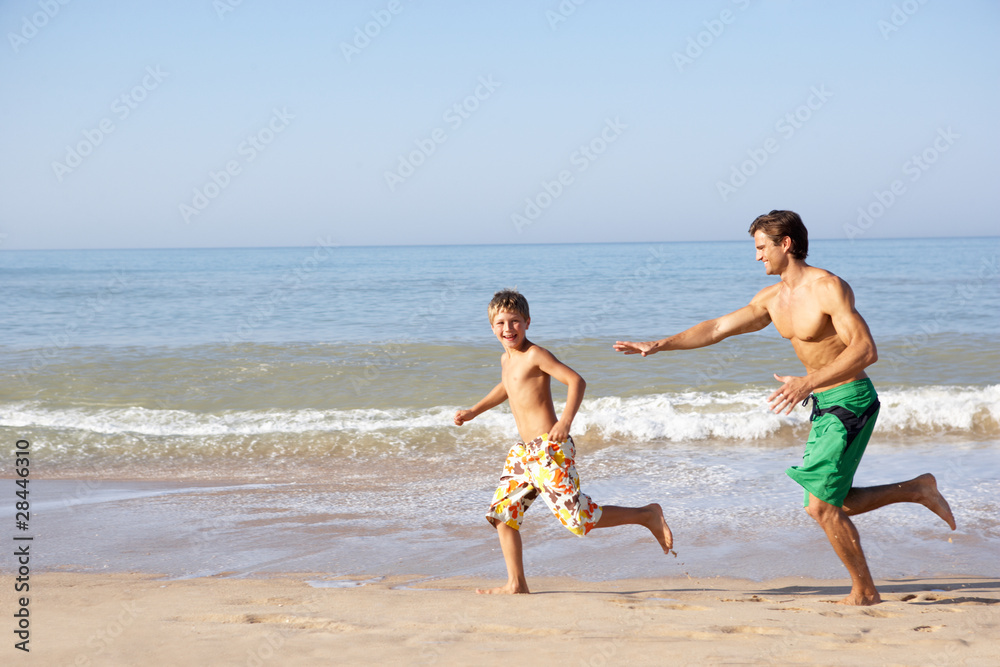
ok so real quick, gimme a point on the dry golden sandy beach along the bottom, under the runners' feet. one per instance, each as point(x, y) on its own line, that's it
point(130, 619)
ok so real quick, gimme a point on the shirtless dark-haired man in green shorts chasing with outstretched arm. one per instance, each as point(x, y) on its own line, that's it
point(814, 309)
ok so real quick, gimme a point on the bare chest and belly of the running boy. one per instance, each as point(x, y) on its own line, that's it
point(529, 391)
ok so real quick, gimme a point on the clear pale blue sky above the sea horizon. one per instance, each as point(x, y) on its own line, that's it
point(224, 123)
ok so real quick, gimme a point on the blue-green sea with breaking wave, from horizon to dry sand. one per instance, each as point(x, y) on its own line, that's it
point(303, 396)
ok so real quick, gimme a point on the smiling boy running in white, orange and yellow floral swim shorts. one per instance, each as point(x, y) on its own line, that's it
point(545, 465)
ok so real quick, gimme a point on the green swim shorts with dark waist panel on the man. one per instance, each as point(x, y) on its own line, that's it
point(842, 422)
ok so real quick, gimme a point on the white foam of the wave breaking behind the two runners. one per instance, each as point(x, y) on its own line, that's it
point(741, 415)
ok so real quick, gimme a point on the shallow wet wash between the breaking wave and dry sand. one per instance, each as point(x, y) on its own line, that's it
point(188, 528)
